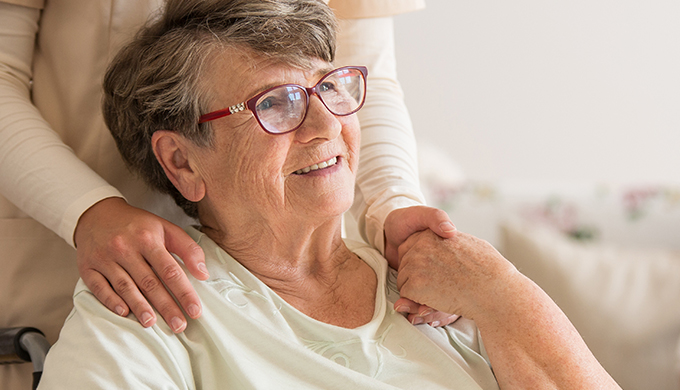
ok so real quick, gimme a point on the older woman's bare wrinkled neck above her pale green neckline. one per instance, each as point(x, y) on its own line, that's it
point(309, 266)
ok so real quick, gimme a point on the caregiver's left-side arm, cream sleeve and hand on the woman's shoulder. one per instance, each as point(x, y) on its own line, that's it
point(46, 180)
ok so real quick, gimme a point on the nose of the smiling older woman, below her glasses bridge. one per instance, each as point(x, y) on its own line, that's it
point(319, 123)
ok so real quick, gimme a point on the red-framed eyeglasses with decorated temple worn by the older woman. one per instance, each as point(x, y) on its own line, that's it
point(282, 109)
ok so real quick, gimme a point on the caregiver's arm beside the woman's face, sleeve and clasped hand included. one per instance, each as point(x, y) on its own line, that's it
point(387, 180)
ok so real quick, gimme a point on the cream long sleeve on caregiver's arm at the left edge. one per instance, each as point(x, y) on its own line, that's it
point(38, 172)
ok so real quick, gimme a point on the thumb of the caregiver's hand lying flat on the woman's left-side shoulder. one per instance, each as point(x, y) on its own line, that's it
point(177, 241)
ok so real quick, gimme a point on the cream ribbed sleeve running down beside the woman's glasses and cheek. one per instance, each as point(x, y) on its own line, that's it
point(388, 169)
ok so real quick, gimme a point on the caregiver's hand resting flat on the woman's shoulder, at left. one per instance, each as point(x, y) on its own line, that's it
point(118, 249)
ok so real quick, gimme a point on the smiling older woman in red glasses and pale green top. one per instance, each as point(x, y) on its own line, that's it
point(289, 304)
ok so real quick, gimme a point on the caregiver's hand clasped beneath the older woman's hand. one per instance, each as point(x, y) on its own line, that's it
point(400, 224)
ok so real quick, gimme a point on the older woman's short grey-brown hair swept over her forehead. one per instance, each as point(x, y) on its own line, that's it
point(154, 83)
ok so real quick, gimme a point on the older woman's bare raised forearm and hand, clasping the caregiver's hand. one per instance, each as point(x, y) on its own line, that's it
point(531, 344)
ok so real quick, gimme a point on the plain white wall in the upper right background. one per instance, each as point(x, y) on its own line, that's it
point(579, 90)
